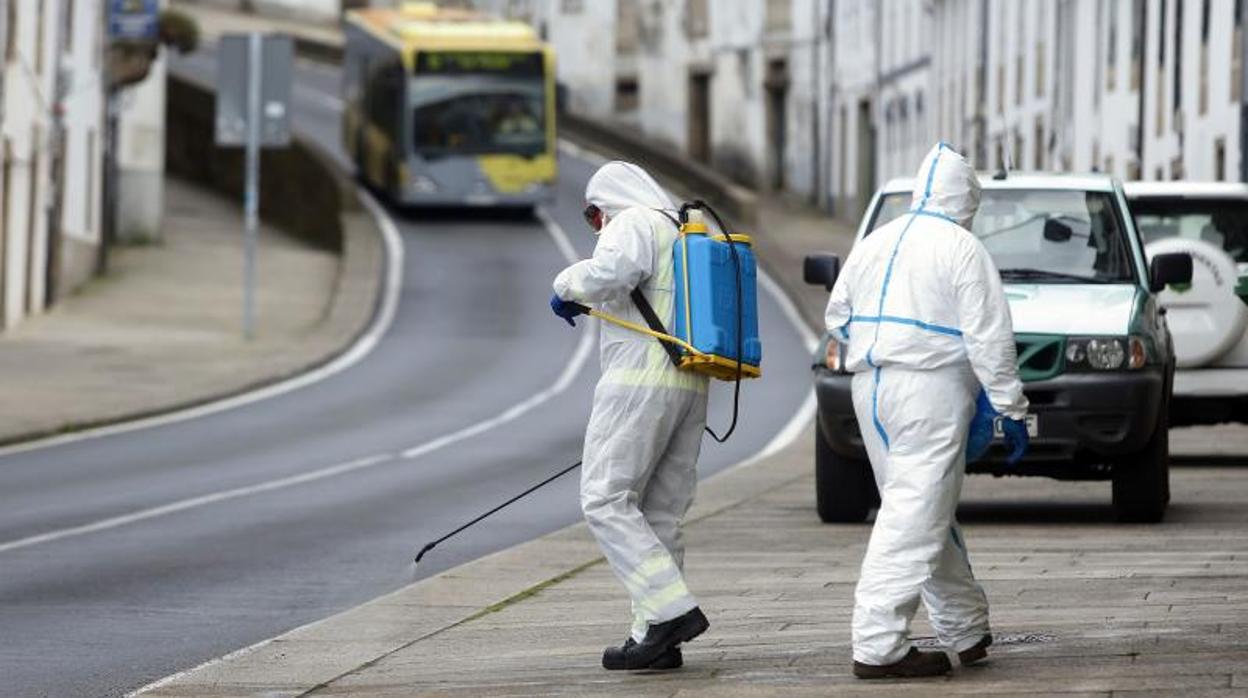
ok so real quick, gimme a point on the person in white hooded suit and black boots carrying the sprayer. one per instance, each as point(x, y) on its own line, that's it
point(646, 430)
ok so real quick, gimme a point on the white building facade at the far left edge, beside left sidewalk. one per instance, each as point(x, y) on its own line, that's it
point(51, 158)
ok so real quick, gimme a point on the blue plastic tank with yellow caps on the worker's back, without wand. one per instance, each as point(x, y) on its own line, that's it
point(707, 309)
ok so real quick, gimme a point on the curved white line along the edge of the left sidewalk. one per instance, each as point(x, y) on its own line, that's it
point(358, 351)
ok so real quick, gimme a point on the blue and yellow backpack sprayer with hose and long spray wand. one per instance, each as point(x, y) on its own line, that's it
point(717, 319)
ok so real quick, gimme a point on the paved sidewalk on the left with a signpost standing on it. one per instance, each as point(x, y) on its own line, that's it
point(163, 330)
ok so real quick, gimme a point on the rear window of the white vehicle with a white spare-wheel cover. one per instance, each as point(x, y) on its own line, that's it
point(1221, 222)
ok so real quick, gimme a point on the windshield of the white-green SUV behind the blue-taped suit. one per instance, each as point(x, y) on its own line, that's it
point(1044, 237)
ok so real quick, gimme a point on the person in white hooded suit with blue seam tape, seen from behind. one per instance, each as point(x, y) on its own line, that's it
point(925, 324)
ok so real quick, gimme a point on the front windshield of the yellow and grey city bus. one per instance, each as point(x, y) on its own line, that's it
point(479, 104)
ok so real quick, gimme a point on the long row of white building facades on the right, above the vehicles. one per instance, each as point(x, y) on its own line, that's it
point(829, 99)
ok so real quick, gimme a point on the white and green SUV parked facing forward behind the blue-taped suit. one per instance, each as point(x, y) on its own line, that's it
point(1095, 351)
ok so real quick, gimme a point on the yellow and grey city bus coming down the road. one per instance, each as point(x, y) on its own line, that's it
point(450, 108)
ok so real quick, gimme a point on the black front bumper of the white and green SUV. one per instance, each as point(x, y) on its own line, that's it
point(1085, 420)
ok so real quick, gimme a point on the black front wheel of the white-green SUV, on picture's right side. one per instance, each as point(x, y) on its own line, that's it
point(1141, 480)
